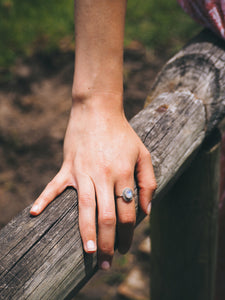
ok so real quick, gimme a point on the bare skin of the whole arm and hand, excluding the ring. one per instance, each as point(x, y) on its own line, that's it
point(101, 151)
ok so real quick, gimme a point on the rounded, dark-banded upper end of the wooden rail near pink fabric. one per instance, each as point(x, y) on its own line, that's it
point(198, 68)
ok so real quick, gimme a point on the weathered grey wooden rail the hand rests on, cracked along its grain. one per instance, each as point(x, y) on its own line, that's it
point(42, 257)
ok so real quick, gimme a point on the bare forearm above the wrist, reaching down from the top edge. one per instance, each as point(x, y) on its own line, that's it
point(99, 33)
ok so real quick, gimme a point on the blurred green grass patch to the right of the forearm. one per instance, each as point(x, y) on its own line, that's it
point(159, 25)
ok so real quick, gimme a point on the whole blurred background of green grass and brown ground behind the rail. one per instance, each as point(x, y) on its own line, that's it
point(36, 71)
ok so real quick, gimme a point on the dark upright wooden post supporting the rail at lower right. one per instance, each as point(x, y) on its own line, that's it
point(184, 231)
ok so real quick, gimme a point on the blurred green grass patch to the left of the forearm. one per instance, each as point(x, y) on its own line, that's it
point(30, 26)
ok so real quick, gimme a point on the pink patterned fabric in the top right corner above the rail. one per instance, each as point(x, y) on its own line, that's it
point(209, 13)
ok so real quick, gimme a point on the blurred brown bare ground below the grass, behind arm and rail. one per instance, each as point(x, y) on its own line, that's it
point(34, 109)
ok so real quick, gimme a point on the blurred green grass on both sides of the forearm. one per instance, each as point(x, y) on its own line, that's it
point(28, 26)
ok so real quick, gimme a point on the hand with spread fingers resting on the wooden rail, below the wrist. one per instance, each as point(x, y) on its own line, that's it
point(101, 154)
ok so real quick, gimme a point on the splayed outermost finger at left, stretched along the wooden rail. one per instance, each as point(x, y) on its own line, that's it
point(55, 187)
